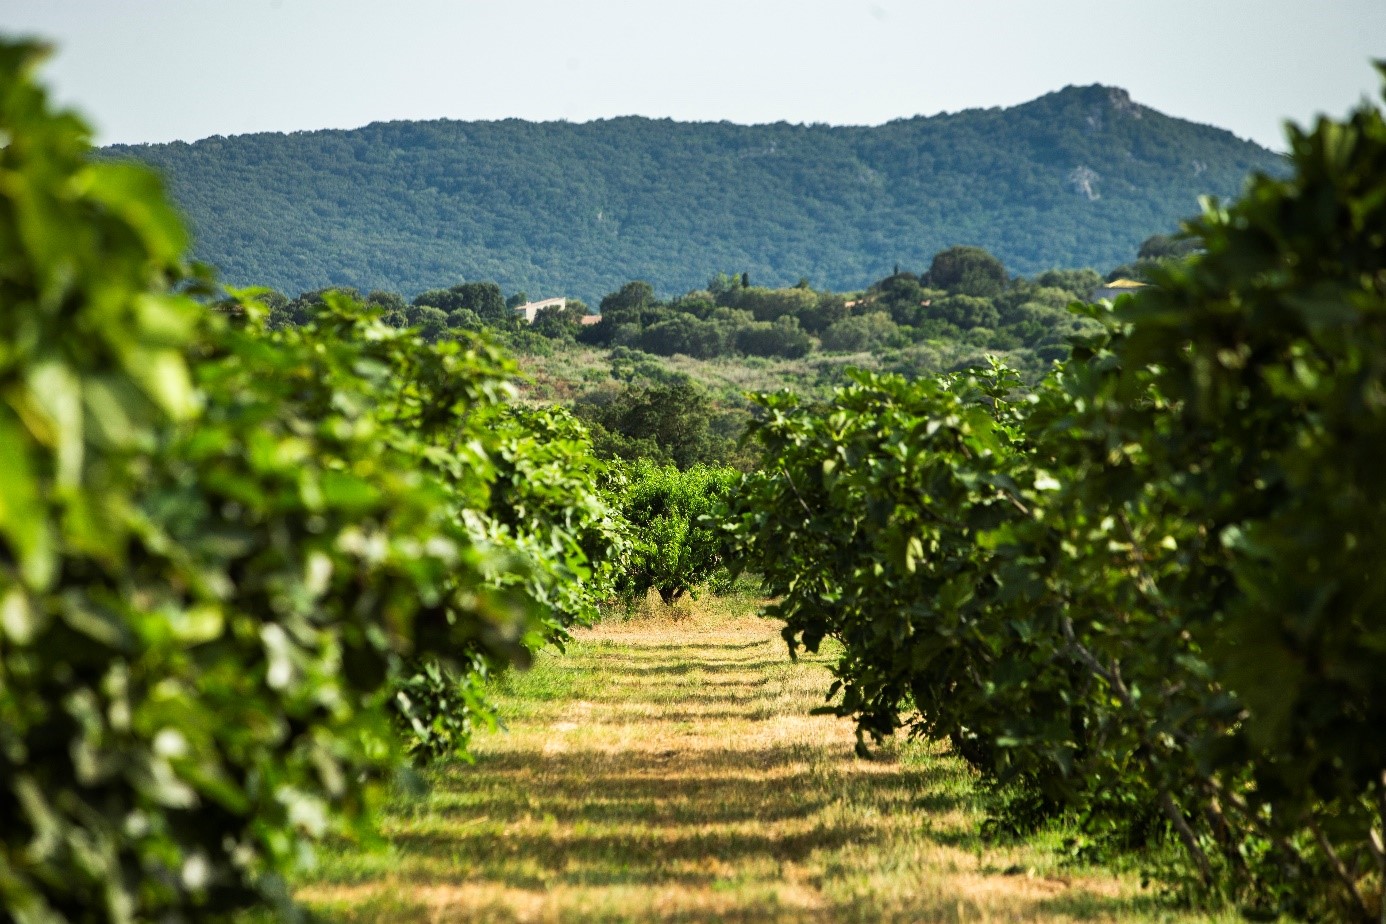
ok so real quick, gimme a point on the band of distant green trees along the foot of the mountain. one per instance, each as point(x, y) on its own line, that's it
point(964, 297)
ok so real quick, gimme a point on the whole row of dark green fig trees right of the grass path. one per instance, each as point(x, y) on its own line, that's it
point(1151, 591)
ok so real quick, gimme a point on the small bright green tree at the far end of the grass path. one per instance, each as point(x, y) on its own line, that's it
point(676, 520)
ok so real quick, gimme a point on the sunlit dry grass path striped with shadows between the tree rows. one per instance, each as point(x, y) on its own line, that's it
point(669, 770)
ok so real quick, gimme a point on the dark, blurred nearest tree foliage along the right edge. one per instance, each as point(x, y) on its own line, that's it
point(1272, 348)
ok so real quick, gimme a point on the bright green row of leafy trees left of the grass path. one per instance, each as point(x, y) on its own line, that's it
point(221, 547)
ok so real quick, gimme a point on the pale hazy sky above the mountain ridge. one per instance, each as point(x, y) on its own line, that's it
point(163, 70)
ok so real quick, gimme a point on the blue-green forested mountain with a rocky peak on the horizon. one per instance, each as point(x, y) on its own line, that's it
point(1076, 178)
